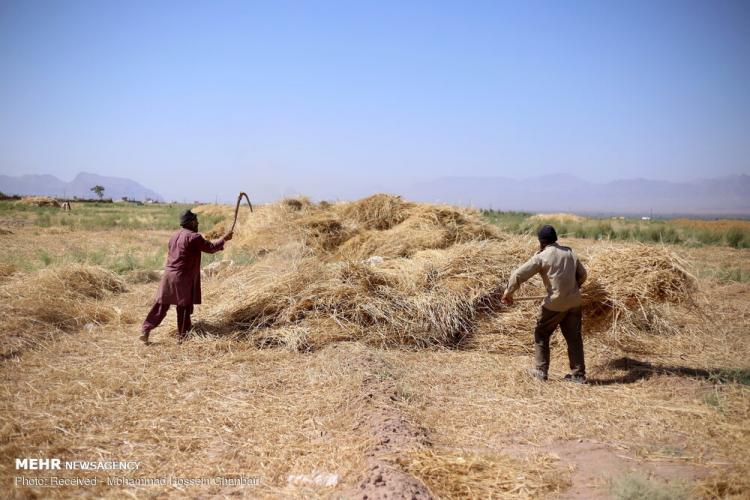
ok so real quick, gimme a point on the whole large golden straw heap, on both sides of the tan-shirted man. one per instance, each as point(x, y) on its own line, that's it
point(389, 272)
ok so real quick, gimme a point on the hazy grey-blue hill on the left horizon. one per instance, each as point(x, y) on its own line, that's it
point(49, 185)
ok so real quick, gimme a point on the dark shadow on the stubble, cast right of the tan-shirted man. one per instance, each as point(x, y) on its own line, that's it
point(636, 370)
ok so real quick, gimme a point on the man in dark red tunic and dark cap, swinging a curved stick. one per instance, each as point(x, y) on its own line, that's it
point(181, 283)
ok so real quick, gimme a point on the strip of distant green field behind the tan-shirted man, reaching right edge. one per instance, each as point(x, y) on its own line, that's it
point(733, 233)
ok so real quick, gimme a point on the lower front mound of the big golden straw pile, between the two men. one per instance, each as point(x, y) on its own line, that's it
point(435, 297)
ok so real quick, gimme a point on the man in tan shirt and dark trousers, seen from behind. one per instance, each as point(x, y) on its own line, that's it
point(562, 274)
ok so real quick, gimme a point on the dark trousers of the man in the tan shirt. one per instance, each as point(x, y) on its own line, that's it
point(570, 324)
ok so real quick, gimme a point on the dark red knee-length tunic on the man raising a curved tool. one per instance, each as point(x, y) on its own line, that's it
point(181, 283)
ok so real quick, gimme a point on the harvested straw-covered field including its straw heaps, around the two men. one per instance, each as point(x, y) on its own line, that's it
point(360, 349)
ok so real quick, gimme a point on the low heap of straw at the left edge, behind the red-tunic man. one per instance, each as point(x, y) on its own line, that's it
point(54, 300)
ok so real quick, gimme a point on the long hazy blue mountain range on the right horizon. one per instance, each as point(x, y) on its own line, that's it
point(556, 193)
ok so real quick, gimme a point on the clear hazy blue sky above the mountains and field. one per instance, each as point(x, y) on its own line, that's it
point(197, 99)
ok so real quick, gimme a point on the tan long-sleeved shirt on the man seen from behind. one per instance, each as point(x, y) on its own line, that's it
point(562, 274)
